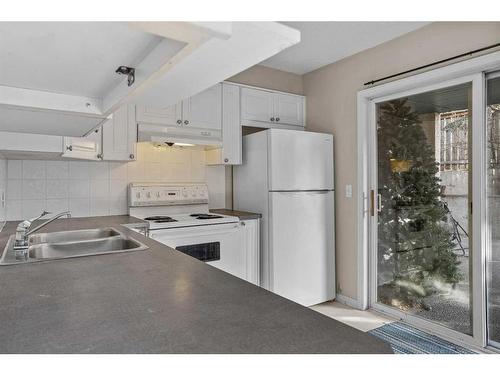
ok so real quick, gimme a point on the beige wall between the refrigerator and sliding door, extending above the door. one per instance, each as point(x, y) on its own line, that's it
point(331, 108)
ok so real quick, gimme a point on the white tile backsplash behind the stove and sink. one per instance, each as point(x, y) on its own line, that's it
point(89, 188)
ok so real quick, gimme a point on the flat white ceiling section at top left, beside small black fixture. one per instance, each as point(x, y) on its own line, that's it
point(74, 58)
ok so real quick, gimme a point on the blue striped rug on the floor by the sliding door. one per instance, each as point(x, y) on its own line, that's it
point(405, 339)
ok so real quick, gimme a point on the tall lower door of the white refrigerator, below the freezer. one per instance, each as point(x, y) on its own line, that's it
point(301, 253)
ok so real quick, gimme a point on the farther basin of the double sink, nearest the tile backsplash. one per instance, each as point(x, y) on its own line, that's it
point(72, 236)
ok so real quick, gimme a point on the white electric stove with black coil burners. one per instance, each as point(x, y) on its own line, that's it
point(178, 216)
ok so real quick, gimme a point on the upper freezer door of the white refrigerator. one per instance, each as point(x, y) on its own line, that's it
point(300, 160)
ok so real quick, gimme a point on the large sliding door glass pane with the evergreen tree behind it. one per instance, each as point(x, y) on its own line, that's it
point(423, 223)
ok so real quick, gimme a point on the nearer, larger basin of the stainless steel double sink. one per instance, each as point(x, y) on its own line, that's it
point(83, 248)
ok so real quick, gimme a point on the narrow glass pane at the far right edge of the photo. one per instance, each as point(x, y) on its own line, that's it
point(493, 204)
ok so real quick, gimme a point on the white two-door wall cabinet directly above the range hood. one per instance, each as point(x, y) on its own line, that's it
point(201, 111)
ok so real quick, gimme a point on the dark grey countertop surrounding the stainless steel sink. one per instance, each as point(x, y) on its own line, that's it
point(154, 301)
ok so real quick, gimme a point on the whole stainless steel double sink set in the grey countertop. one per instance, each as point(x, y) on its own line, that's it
point(70, 244)
